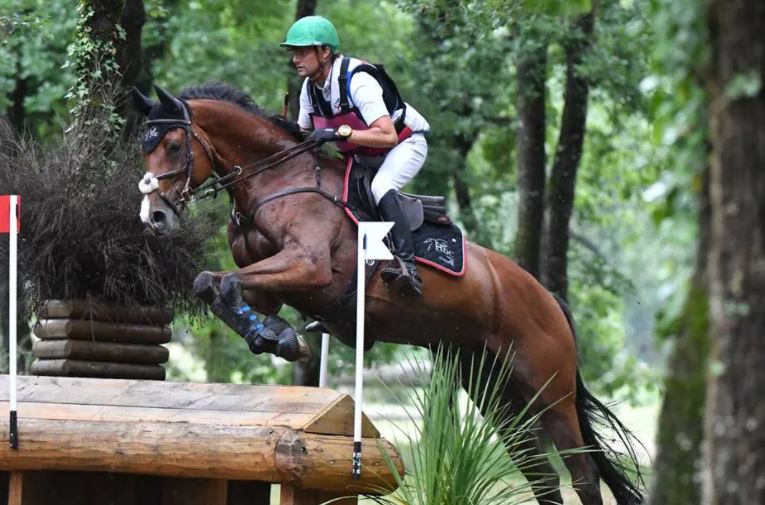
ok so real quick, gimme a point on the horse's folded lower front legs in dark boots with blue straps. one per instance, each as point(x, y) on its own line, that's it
point(239, 310)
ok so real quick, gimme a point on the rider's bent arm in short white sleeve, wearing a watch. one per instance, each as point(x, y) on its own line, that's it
point(367, 95)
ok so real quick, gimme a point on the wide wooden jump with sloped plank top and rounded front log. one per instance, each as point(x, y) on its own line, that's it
point(202, 443)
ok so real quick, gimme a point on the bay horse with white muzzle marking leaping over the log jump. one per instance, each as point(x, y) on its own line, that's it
point(297, 247)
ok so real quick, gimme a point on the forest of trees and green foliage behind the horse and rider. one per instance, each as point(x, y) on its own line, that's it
point(570, 136)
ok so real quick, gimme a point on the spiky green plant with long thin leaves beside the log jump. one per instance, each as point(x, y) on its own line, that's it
point(465, 452)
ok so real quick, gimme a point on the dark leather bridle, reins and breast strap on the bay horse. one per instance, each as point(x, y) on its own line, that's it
point(150, 182)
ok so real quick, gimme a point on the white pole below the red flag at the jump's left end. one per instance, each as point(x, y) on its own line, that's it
point(13, 244)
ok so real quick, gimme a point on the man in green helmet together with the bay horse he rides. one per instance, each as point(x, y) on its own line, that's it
point(294, 243)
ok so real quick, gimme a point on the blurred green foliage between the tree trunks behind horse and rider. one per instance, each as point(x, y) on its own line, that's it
point(634, 216)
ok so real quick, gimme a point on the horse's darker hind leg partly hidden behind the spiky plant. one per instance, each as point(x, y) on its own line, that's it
point(542, 477)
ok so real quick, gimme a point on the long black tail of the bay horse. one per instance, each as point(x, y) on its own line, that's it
point(614, 466)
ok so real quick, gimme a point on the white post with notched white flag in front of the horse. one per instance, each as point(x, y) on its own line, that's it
point(370, 247)
